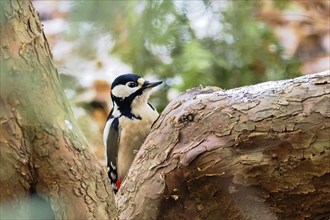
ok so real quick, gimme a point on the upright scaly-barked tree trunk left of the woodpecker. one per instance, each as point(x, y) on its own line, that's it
point(42, 151)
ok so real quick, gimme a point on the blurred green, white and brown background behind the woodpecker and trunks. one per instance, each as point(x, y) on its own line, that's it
point(185, 43)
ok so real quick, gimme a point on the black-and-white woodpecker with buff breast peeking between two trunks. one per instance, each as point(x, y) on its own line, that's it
point(128, 124)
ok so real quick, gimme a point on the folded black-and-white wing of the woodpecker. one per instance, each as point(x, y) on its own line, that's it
point(111, 139)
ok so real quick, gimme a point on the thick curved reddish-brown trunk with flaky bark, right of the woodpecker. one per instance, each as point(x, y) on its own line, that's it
point(256, 152)
